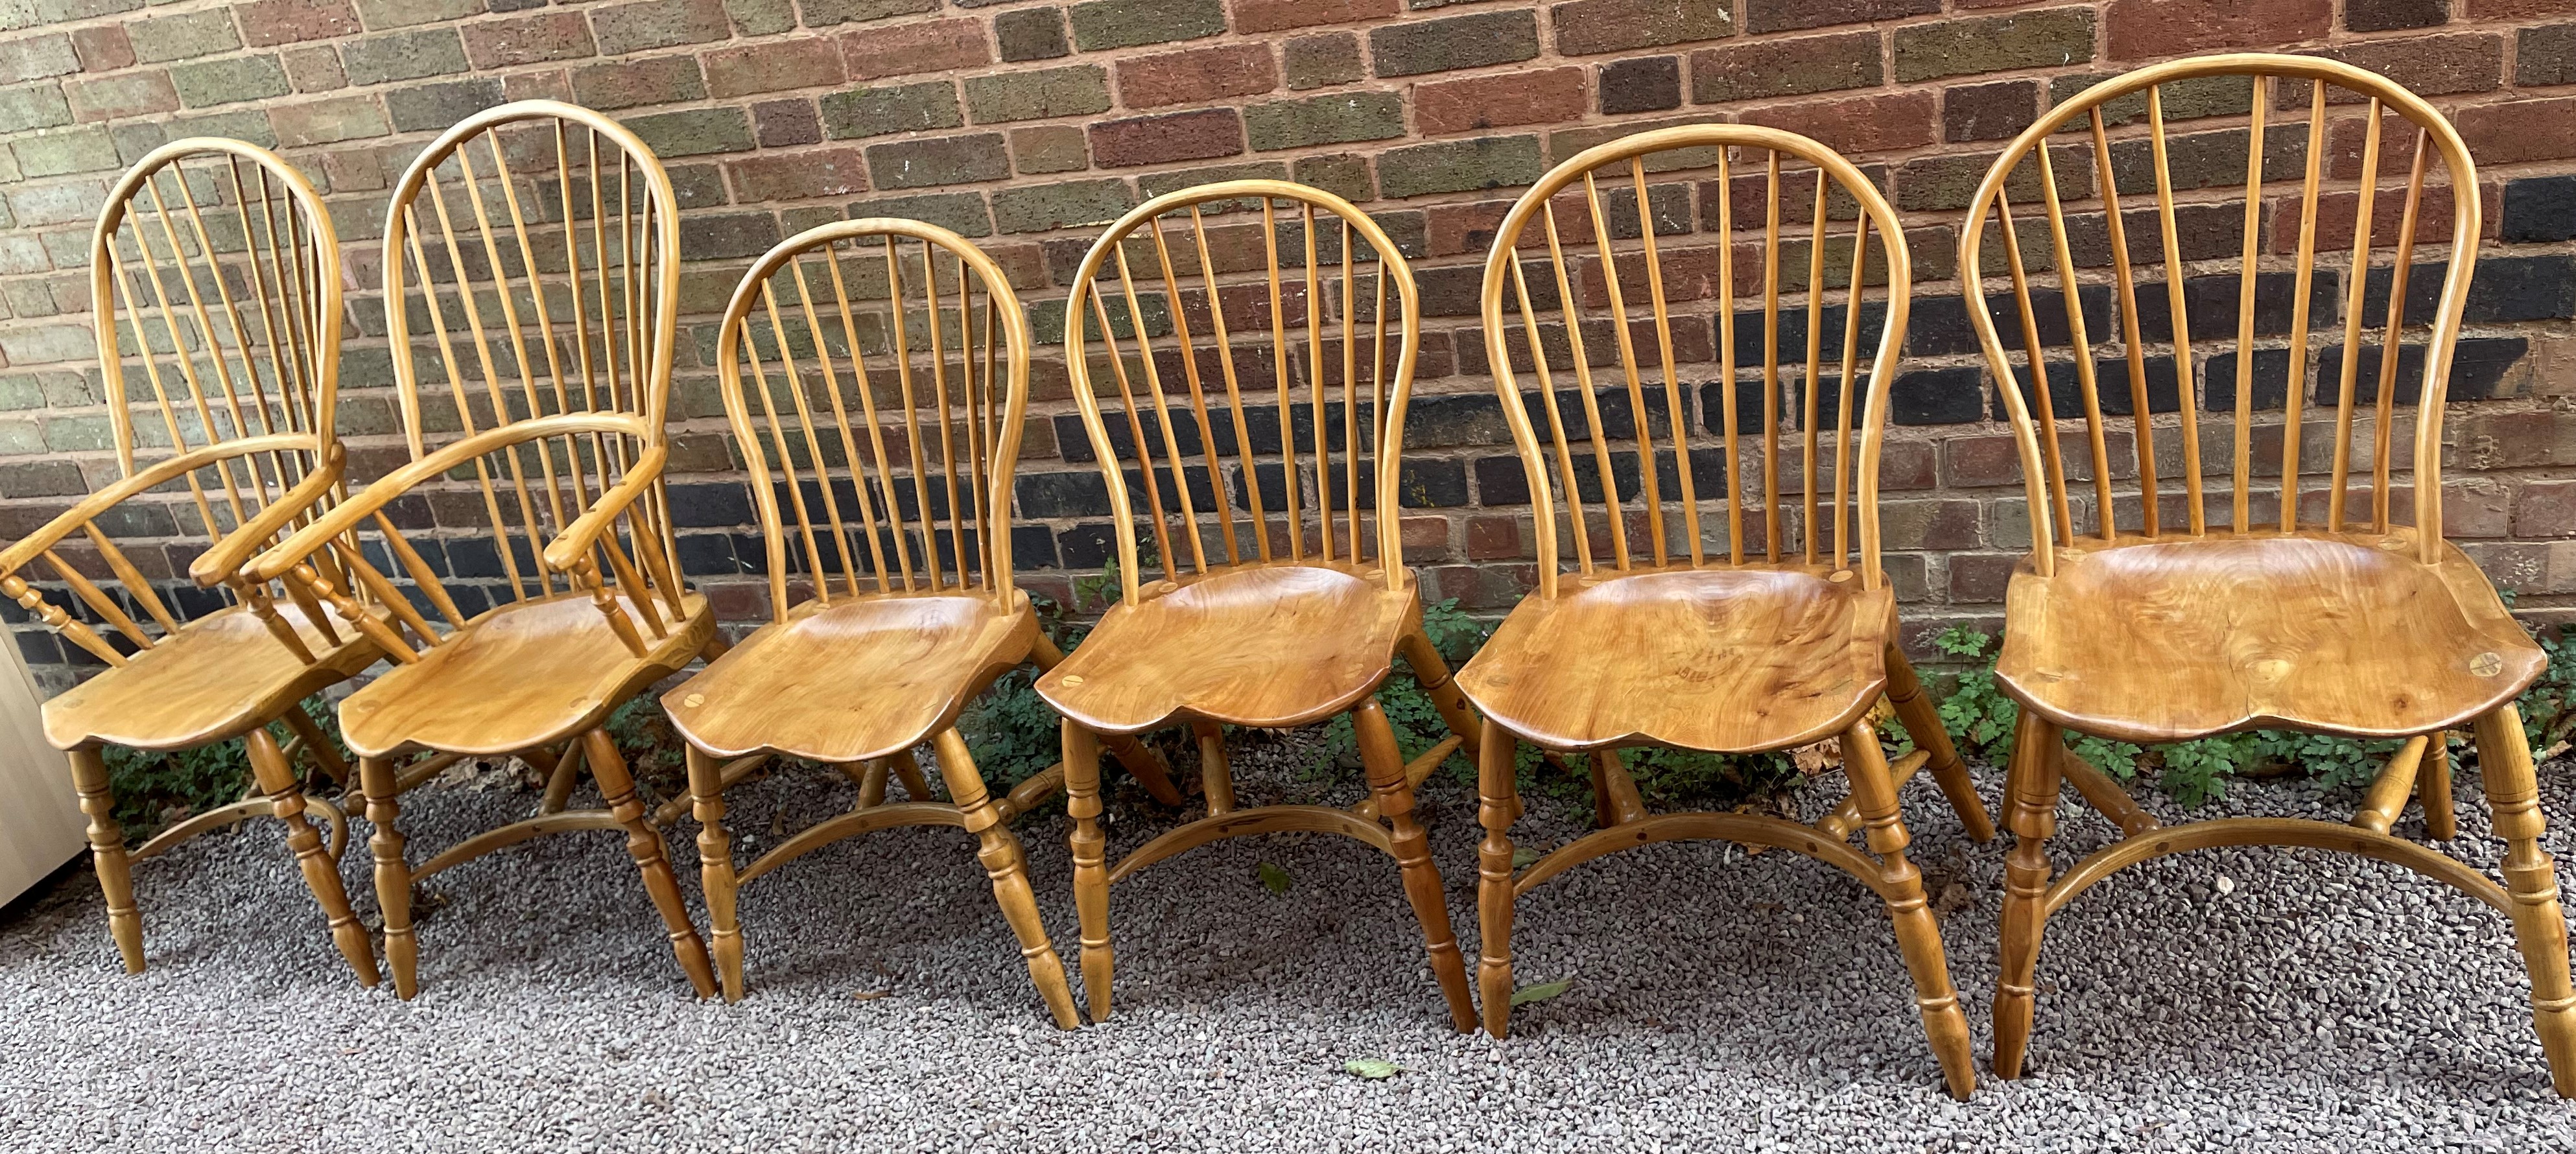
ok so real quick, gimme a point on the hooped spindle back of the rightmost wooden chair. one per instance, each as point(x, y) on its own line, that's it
point(2191, 89)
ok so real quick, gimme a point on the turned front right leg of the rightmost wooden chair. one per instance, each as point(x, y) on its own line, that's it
point(2513, 792)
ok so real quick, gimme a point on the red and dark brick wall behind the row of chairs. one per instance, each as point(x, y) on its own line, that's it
point(1024, 122)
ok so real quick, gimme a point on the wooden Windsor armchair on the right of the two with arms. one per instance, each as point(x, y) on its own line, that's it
point(542, 277)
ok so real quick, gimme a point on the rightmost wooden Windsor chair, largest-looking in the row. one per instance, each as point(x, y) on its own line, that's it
point(2160, 617)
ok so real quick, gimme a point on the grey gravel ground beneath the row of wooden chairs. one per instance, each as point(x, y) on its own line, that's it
point(2276, 1001)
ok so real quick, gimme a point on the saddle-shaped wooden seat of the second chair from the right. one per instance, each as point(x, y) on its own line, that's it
point(1732, 661)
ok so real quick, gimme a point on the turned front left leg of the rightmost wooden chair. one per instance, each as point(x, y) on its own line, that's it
point(2031, 790)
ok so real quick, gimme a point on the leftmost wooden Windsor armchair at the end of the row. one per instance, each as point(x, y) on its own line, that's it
point(218, 274)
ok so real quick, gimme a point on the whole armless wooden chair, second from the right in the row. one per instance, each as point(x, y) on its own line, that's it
point(1678, 643)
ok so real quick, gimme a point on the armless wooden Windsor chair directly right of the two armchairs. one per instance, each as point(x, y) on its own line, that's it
point(926, 614)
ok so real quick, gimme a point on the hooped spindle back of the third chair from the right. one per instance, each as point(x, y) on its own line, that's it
point(1225, 292)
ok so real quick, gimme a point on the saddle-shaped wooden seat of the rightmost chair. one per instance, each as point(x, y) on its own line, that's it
point(2345, 632)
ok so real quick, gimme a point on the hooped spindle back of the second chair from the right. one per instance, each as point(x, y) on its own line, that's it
point(1513, 285)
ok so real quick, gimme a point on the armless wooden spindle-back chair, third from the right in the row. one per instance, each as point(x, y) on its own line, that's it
point(1274, 604)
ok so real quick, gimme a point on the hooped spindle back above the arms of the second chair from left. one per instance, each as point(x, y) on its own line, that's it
point(501, 326)
